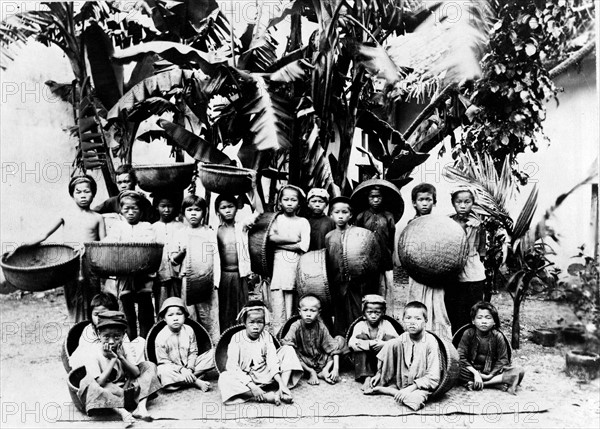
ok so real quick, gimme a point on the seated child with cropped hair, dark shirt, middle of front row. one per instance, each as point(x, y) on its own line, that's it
point(318, 351)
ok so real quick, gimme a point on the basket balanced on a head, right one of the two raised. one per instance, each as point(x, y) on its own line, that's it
point(226, 178)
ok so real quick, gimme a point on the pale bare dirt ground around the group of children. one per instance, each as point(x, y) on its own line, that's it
point(33, 390)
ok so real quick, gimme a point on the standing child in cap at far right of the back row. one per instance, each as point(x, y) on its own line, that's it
point(468, 290)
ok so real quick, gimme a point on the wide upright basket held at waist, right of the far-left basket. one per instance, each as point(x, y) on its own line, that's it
point(123, 259)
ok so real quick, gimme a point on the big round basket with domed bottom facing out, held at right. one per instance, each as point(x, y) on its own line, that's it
point(433, 249)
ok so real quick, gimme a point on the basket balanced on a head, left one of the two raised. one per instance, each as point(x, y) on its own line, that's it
point(172, 177)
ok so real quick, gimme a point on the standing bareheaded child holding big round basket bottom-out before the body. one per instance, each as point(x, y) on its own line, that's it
point(424, 199)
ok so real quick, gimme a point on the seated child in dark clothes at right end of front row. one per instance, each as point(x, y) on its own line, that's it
point(483, 353)
